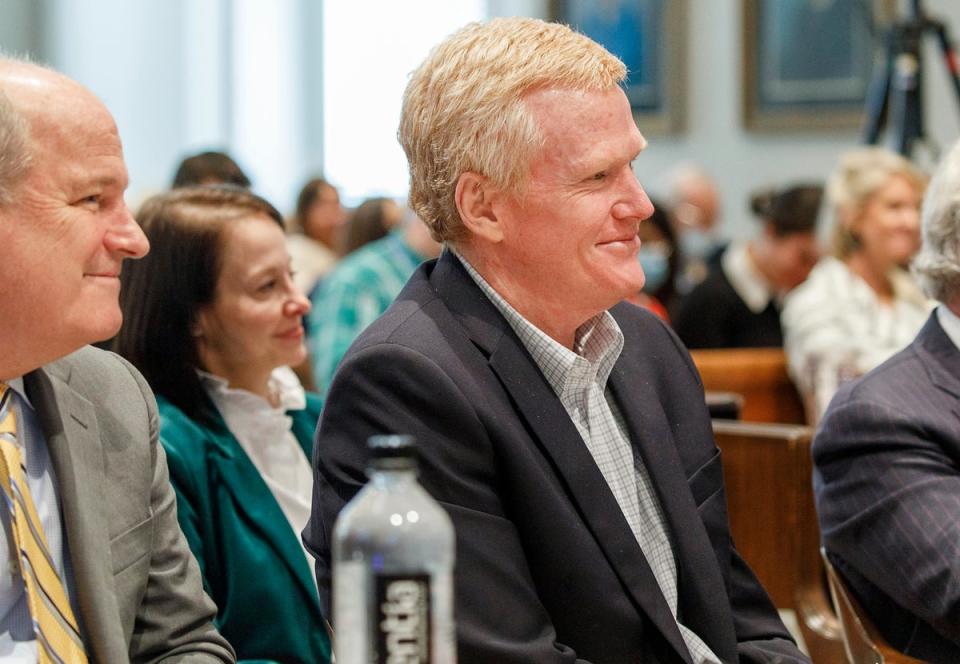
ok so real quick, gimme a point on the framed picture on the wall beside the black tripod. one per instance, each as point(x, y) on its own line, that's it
point(807, 64)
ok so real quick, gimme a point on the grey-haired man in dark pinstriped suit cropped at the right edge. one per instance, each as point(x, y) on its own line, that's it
point(887, 458)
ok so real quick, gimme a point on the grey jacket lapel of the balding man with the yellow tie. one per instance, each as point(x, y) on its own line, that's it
point(72, 433)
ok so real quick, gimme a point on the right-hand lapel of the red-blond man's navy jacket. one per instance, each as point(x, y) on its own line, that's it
point(701, 588)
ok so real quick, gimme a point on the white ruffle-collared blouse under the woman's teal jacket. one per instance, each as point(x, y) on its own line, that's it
point(264, 433)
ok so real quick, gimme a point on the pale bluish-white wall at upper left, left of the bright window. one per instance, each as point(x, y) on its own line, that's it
point(181, 76)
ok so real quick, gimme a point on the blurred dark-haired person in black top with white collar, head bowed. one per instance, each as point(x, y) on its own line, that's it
point(738, 304)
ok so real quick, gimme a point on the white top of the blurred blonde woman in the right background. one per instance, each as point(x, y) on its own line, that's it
point(836, 328)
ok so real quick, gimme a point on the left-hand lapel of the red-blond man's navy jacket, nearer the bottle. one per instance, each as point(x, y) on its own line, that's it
point(558, 438)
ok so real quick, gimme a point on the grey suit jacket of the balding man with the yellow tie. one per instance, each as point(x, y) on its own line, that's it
point(139, 592)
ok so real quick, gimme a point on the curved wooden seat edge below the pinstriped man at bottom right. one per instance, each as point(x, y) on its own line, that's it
point(861, 640)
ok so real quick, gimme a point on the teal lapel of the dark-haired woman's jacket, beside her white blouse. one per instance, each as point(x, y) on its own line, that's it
point(253, 497)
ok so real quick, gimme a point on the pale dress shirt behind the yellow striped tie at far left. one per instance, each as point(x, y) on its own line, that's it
point(17, 639)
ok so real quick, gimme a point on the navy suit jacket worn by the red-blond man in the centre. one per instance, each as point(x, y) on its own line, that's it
point(547, 567)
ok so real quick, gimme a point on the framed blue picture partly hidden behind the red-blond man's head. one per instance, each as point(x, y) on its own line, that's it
point(650, 37)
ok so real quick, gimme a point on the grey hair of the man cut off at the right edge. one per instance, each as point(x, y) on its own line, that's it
point(937, 266)
